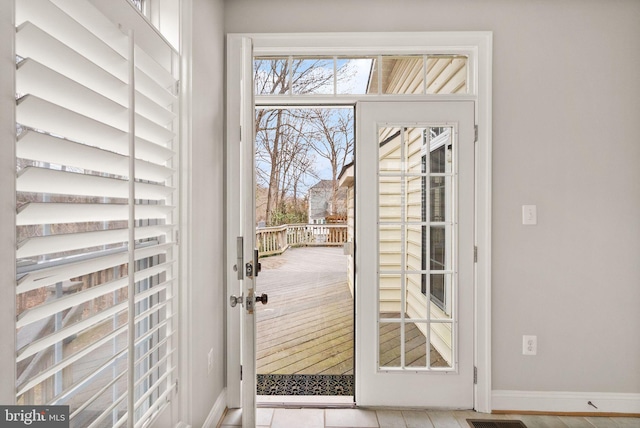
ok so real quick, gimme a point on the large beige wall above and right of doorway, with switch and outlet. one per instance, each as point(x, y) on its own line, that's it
point(566, 103)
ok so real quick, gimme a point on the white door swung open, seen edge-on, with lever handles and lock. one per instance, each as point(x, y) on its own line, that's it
point(242, 258)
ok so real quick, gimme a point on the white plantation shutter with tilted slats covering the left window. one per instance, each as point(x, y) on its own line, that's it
point(96, 225)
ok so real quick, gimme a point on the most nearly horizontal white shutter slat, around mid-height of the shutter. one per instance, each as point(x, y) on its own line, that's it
point(51, 213)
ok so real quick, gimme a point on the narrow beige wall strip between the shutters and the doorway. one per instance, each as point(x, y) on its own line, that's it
point(207, 293)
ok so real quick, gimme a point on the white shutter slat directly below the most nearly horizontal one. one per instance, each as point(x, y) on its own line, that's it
point(40, 245)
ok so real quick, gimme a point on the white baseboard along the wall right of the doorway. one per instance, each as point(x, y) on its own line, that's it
point(570, 402)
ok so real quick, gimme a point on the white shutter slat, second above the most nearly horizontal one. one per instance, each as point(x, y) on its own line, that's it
point(46, 148)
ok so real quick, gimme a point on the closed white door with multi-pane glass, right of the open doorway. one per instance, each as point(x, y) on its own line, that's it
point(414, 266)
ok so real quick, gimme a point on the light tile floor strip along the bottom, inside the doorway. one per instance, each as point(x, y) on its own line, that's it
point(362, 418)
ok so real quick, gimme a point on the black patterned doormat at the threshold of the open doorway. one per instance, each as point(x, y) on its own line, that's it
point(278, 384)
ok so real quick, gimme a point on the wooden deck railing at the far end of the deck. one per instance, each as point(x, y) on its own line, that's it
point(275, 240)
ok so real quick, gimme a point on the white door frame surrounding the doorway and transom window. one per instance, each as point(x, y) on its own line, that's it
point(478, 47)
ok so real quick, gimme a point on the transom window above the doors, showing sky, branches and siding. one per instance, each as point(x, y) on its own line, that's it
point(367, 75)
